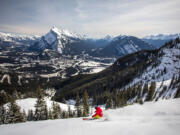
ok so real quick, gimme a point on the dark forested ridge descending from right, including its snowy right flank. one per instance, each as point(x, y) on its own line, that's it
point(130, 71)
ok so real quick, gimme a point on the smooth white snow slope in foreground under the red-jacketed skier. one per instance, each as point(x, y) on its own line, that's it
point(162, 117)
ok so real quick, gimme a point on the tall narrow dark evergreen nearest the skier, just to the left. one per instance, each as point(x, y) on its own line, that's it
point(85, 104)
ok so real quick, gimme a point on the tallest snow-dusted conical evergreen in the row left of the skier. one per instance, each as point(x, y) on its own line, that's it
point(40, 106)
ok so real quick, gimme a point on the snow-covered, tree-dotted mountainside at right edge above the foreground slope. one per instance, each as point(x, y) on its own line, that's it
point(165, 68)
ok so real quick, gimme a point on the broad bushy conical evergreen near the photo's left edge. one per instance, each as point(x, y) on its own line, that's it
point(14, 114)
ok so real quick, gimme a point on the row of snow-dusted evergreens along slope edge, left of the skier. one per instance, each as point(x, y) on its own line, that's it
point(12, 113)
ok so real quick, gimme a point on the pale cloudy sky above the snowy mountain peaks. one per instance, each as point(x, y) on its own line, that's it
point(95, 18)
